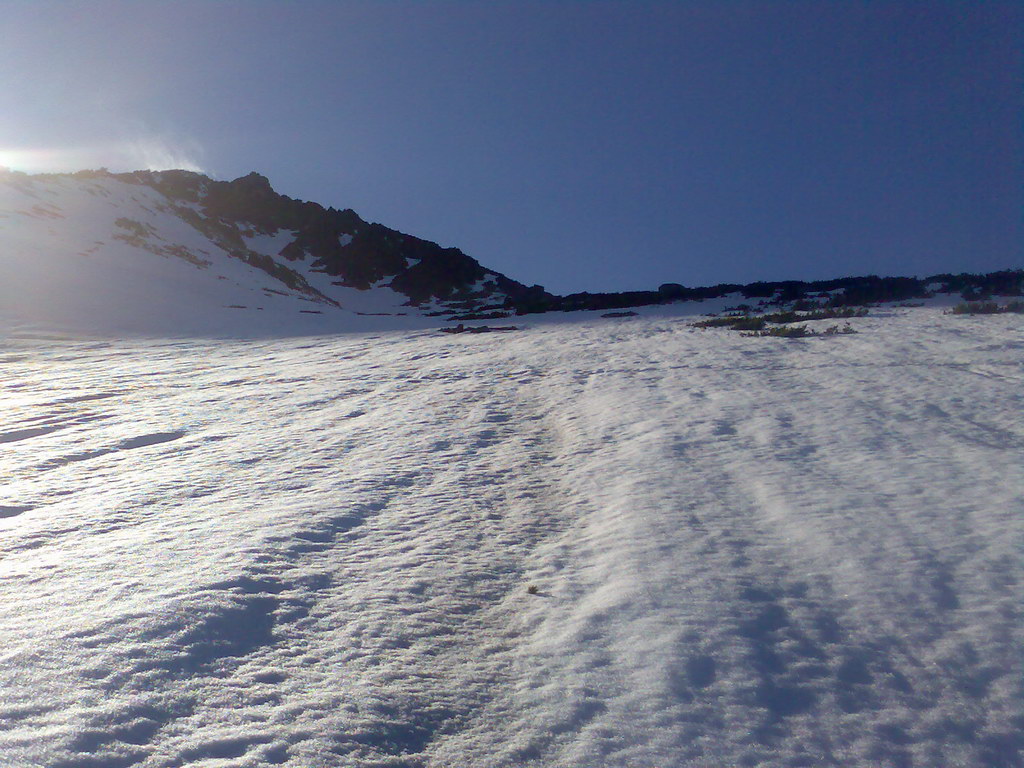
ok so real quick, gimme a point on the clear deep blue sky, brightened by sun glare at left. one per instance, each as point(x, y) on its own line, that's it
point(580, 146)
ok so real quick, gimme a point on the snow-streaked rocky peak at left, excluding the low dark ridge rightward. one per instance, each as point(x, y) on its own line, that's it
point(153, 249)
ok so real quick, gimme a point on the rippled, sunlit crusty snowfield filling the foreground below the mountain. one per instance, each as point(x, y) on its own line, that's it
point(317, 551)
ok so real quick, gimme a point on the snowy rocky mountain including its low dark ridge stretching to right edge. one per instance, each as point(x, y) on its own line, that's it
point(179, 253)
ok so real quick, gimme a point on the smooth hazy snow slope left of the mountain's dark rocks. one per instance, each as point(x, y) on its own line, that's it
point(71, 263)
